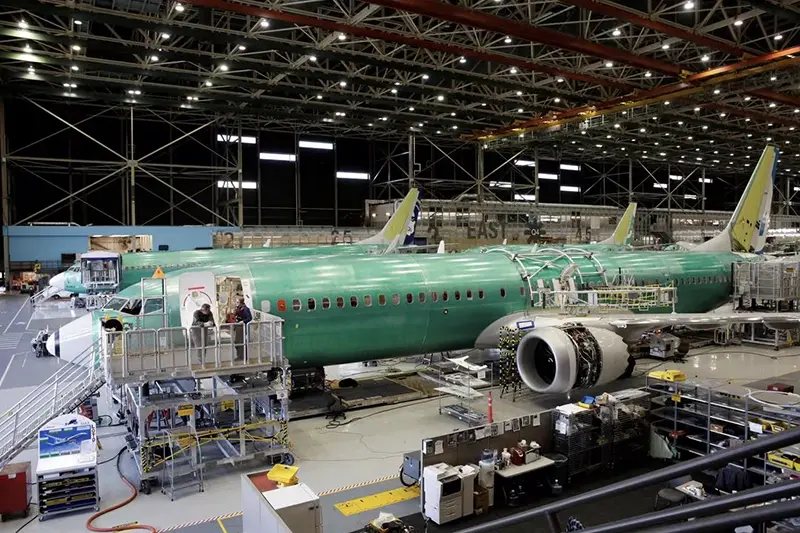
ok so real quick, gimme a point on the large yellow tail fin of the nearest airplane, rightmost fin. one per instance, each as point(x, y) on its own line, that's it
point(747, 229)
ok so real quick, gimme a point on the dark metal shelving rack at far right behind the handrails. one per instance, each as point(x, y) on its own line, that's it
point(700, 418)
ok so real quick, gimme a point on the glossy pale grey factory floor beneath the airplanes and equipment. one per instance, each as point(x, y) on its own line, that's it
point(368, 447)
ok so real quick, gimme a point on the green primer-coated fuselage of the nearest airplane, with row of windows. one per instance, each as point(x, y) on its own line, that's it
point(480, 288)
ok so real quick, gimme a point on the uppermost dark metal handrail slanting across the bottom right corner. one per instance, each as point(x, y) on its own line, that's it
point(720, 458)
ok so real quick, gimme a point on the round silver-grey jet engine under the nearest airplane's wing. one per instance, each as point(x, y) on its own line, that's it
point(555, 359)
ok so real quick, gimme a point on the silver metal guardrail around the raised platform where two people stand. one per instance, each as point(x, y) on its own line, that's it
point(167, 353)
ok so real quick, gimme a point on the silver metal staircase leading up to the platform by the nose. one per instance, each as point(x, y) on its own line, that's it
point(61, 393)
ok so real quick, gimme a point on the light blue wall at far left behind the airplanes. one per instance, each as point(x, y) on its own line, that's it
point(47, 243)
